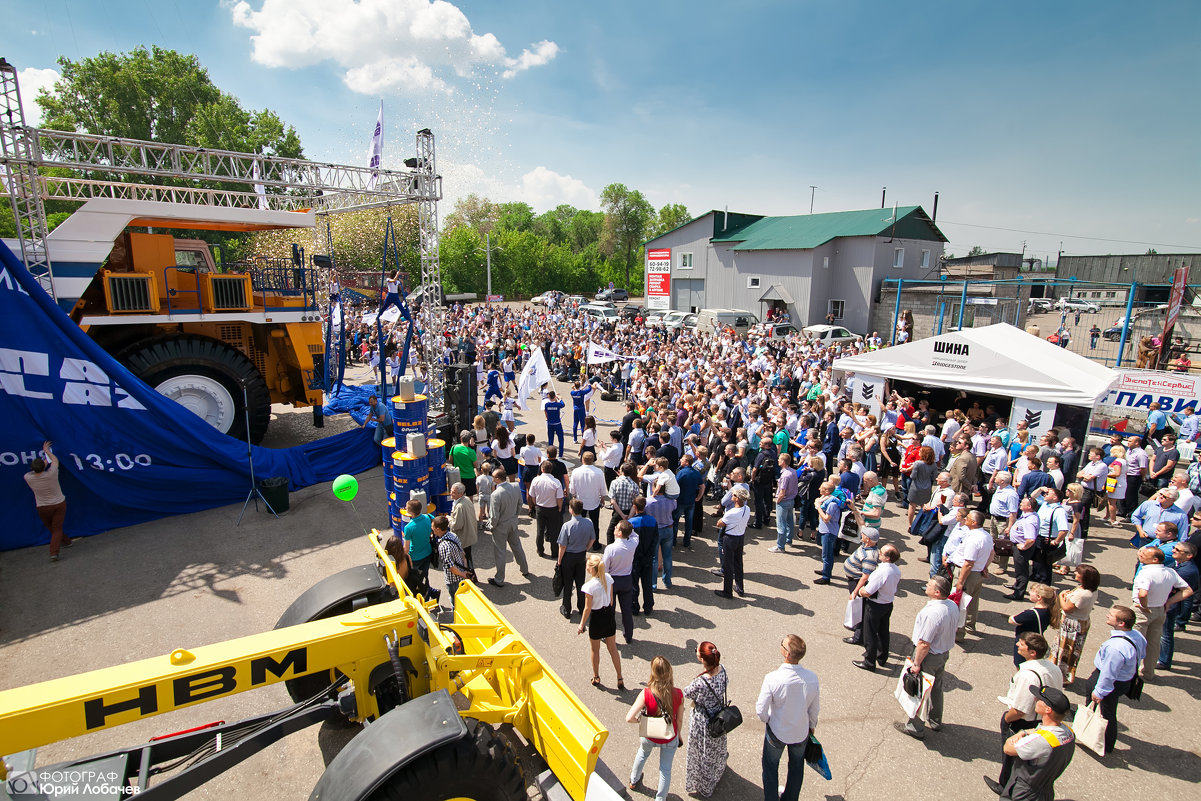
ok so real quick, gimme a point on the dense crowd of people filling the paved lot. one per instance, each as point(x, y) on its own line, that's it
point(744, 433)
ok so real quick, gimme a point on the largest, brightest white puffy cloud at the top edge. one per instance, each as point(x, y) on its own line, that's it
point(365, 37)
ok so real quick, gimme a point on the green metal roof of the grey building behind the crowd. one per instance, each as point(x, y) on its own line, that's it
point(809, 231)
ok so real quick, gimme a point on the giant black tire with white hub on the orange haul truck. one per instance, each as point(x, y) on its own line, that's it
point(206, 378)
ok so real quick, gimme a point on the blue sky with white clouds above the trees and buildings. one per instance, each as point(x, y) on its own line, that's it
point(1061, 123)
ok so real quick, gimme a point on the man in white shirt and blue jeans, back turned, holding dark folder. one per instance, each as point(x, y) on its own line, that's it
point(788, 704)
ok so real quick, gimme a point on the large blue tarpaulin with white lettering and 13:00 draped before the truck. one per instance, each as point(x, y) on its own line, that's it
point(128, 455)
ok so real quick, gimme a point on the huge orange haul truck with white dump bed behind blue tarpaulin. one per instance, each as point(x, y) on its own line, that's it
point(225, 342)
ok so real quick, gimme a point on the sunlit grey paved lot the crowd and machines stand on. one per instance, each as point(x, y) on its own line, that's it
point(198, 579)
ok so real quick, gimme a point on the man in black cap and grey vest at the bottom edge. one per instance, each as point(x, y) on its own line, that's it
point(1043, 755)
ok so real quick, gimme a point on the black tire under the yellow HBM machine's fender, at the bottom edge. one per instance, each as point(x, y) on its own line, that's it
point(481, 767)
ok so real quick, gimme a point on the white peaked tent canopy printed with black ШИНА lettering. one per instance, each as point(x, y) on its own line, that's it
point(996, 361)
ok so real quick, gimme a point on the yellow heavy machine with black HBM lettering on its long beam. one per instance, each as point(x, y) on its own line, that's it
point(356, 648)
